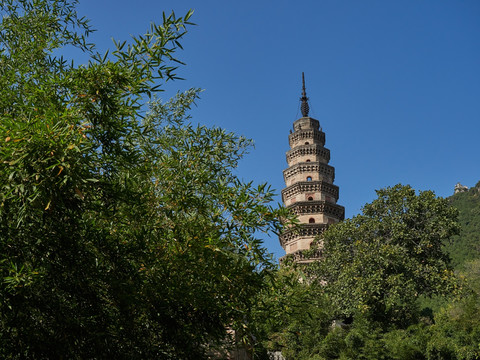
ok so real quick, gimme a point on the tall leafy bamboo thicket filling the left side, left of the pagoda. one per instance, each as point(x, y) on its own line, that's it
point(121, 236)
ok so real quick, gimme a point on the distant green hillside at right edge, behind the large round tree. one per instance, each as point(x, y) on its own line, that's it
point(466, 246)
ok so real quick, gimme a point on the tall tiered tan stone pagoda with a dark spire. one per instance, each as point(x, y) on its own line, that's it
point(309, 193)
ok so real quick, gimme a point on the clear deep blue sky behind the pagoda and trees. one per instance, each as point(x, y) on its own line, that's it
point(395, 84)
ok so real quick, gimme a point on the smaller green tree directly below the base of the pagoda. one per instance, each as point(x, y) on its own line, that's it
point(294, 314)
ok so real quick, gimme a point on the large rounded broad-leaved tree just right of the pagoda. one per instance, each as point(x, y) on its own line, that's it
point(378, 263)
